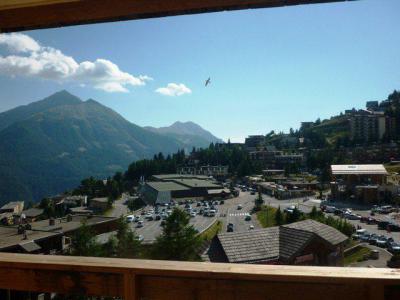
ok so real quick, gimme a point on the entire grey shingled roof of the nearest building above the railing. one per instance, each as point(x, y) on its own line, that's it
point(280, 242)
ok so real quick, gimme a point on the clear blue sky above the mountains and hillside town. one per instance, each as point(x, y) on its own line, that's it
point(270, 69)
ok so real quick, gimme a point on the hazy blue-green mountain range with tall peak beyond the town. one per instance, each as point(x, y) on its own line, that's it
point(49, 146)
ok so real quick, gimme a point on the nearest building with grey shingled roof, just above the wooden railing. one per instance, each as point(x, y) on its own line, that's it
point(301, 243)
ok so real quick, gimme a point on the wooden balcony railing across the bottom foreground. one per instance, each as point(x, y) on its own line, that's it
point(151, 279)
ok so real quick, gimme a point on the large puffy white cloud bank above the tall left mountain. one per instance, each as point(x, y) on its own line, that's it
point(52, 64)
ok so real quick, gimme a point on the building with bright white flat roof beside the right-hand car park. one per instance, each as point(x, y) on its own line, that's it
point(365, 183)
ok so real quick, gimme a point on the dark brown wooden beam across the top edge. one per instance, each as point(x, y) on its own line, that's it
point(17, 15)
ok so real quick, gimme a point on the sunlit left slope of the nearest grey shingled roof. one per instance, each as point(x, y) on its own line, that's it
point(257, 245)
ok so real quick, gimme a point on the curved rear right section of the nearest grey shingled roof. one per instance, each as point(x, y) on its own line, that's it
point(326, 232)
